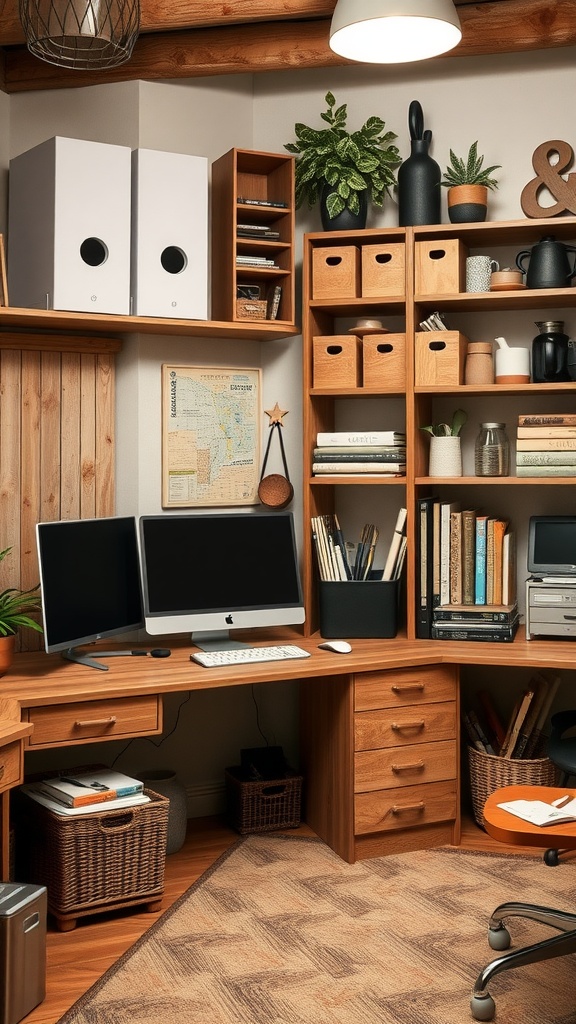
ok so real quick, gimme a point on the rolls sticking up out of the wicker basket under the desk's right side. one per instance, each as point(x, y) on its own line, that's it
point(520, 734)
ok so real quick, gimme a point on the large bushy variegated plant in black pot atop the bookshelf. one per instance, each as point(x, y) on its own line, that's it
point(343, 169)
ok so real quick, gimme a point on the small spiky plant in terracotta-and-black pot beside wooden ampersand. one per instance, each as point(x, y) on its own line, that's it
point(468, 183)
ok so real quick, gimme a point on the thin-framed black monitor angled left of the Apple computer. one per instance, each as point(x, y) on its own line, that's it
point(91, 583)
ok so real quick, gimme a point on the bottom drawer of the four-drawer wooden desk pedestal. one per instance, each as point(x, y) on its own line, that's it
point(407, 808)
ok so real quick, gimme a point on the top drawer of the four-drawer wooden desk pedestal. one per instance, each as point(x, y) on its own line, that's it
point(405, 687)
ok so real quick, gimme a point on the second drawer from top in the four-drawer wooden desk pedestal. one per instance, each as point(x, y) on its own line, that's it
point(399, 727)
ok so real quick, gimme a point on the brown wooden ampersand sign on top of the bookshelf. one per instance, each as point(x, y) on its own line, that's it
point(550, 176)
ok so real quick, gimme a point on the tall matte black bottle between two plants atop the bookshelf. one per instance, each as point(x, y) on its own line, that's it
point(419, 177)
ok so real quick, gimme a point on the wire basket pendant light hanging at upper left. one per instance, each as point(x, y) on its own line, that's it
point(84, 34)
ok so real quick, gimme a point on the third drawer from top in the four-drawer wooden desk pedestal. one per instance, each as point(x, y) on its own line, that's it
point(397, 767)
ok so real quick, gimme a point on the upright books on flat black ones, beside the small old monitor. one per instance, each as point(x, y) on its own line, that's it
point(467, 562)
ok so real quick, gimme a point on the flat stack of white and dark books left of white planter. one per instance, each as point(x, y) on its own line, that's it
point(353, 453)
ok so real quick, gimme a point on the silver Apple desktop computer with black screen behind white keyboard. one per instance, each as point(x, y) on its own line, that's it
point(205, 574)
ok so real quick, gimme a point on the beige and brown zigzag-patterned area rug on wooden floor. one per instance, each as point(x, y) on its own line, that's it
point(281, 931)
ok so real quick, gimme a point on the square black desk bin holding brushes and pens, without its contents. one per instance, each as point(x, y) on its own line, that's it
point(354, 609)
